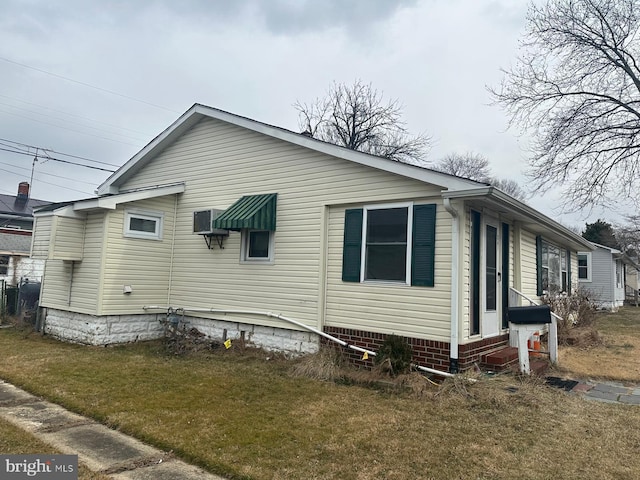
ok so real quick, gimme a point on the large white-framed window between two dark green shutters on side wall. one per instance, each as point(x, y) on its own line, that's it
point(386, 241)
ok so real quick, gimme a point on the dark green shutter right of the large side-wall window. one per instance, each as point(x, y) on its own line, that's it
point(424, 244)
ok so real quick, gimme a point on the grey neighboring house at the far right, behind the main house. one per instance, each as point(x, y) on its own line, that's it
point(603, 273)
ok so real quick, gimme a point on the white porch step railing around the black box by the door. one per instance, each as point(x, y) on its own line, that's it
point(519, 334)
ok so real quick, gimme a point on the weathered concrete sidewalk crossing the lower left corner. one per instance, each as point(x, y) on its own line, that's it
point(98, 447)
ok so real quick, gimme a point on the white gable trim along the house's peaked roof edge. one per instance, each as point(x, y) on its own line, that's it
point(198, 112)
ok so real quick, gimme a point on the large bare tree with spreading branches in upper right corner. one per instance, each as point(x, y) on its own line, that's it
point(576, 88)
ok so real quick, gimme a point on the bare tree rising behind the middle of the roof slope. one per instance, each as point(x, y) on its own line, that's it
point(356, 117)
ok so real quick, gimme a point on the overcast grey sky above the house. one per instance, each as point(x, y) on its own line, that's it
point(100, 79)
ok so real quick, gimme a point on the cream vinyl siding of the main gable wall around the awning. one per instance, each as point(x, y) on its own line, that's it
point(220, 163)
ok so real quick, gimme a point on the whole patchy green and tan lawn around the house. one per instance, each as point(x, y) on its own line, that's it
point(242, 415)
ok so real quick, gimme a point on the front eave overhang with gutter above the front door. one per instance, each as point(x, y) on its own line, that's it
point(528, 216)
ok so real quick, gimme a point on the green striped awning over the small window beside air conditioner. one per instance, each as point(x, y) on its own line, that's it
point(255, 212)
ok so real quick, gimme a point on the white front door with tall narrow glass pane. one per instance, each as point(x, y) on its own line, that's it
point(490, 279)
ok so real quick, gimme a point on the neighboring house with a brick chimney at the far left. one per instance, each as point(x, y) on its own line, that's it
point(16, 226)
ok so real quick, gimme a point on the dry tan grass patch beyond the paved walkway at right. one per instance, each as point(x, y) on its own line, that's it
point(616, 357)
